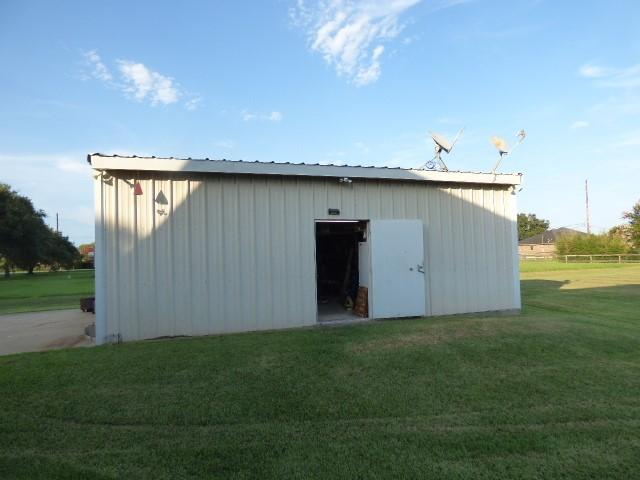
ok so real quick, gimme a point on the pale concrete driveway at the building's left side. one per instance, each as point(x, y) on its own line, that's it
point(38, 331)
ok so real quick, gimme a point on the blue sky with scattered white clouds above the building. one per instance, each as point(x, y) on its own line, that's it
point(329, 81)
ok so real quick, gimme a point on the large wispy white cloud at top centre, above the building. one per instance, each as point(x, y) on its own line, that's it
point(349, 34)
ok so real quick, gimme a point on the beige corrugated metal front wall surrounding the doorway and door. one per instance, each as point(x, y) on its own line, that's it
point(237, 253)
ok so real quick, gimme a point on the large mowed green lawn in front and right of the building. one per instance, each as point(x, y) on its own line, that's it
point(551, 393)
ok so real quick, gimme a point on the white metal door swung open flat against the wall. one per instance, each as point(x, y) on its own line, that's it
point(397, 269)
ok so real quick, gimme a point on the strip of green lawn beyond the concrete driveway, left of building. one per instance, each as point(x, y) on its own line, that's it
point(44, 291)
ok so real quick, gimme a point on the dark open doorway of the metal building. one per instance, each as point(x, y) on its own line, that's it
point(339, 259)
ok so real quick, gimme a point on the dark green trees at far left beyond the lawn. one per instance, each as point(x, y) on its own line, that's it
point(26, 241)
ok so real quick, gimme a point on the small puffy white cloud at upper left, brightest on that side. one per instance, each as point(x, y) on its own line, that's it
point(145, 84)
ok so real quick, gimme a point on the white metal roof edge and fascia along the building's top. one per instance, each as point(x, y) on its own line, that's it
point(101, 161)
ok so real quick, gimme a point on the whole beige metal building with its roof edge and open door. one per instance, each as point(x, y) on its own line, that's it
point(197, 247)
